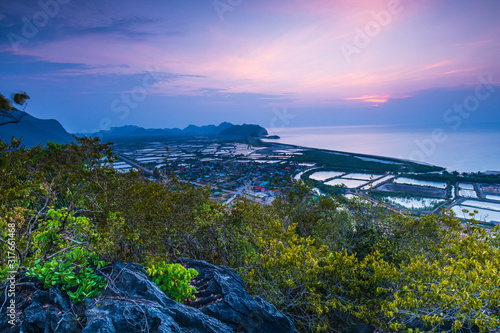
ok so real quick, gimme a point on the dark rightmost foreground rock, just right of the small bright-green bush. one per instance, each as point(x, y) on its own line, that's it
point(221, 295)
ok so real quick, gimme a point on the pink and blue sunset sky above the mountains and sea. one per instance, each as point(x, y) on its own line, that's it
point(163, 64)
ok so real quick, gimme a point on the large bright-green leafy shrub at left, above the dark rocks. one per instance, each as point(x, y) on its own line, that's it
point(60, 254)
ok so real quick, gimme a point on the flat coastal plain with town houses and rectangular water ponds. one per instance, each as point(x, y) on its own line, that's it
point(259, 170)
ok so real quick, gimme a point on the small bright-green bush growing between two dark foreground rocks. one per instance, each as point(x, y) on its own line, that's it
point(174, 280)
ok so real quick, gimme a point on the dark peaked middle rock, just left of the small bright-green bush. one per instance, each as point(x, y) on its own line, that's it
point(132, 302)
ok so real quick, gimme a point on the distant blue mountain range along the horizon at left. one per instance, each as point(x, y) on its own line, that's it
point(34, 130)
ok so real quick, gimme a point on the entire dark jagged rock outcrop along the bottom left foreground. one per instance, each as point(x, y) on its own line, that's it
point(133, 303)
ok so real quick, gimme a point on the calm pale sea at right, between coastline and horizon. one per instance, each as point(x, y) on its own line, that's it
point(469, 150)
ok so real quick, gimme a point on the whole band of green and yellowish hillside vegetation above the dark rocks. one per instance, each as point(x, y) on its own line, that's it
point(325, 262)
